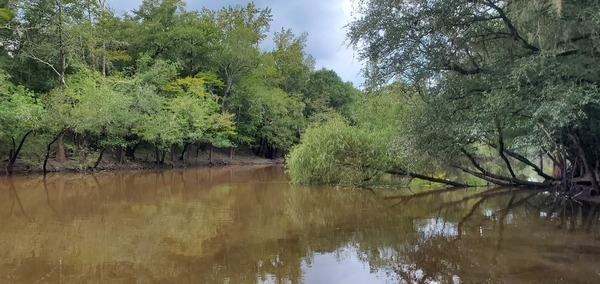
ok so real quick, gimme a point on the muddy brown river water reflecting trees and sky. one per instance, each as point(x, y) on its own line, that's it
point(249, 225)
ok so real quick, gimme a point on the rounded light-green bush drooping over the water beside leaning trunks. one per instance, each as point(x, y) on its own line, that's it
point(350, 153)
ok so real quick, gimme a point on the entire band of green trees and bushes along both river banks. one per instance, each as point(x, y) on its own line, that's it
point(503, 91)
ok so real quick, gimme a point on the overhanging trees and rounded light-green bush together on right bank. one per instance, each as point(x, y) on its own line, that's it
point(505, 91)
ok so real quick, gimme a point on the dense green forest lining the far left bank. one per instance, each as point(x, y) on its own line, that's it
point(78, 81)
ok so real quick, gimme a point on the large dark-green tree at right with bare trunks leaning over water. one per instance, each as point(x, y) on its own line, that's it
point(520, 77)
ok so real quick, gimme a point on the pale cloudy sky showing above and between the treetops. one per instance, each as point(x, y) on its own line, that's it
point(323, 20)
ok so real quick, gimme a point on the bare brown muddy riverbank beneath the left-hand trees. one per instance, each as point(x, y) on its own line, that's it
point(111, 163)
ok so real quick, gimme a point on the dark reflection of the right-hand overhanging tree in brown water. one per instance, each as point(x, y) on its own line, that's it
point(505, 236)
